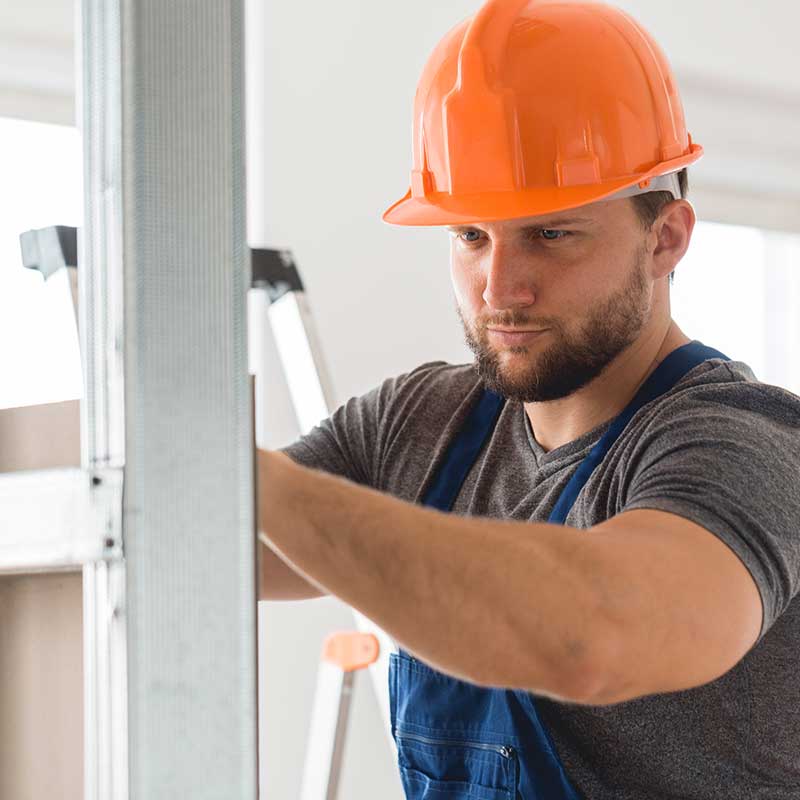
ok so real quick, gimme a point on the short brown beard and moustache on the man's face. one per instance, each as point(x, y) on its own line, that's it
point(570, 362)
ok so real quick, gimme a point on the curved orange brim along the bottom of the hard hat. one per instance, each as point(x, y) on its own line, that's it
point(441, 208)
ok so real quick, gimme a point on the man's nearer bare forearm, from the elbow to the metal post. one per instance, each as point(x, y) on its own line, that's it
point(494, 602)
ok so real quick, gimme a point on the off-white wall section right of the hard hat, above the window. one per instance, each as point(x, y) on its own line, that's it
point(736, 65)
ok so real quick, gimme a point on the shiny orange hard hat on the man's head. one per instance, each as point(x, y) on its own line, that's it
point(535, 106)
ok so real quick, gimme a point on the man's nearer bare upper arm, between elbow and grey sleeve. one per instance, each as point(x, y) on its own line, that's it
point(684, 607)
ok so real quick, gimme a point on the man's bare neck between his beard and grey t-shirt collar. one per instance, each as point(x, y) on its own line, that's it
point(559, 422)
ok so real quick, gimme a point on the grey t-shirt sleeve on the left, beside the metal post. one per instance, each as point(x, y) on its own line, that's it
point(352, 442)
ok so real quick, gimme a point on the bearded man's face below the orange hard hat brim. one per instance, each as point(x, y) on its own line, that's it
point(548, 302)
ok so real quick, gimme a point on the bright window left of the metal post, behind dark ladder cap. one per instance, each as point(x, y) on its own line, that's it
point(42, 186)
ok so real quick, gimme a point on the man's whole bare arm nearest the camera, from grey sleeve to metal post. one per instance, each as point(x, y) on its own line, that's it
point(644, 603)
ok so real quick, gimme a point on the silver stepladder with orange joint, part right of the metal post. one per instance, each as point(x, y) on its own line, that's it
point(344, 653)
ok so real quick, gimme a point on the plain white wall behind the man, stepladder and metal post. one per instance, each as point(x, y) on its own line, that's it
point(330, 88)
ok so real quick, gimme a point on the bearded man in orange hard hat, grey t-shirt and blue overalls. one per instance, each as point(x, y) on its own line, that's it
point(609, 608)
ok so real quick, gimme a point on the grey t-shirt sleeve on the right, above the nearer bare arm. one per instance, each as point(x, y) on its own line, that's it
point(732, 466)
